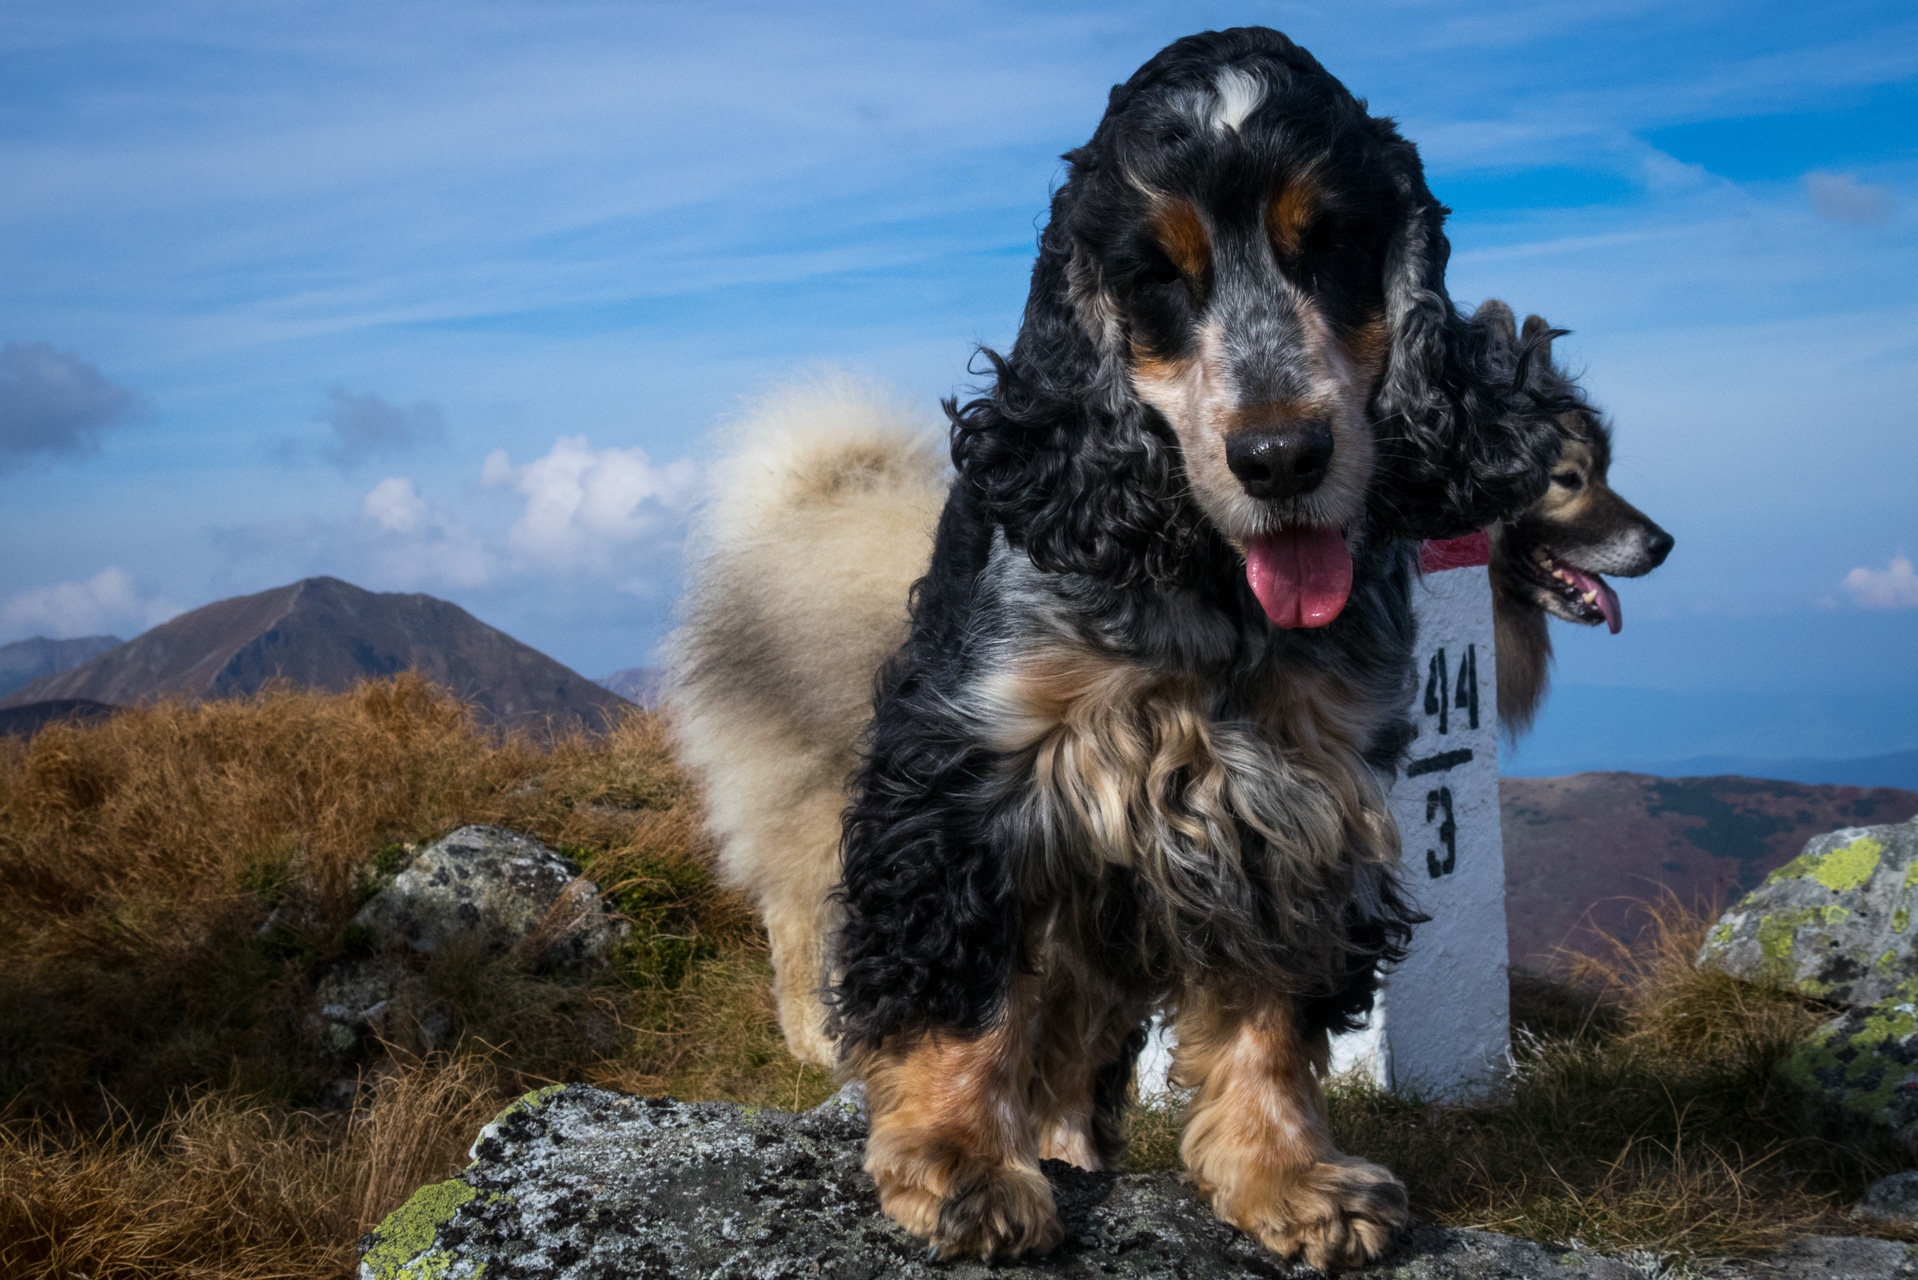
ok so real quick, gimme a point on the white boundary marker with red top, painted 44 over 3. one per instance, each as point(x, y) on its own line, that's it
point(1443, 1024)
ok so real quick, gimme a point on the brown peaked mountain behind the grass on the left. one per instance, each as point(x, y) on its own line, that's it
point(329, 634)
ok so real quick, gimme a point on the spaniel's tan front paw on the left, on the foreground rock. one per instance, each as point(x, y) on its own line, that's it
point(971, 1210)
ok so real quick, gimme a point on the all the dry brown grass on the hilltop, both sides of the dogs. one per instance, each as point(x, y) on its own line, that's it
point(179, 880)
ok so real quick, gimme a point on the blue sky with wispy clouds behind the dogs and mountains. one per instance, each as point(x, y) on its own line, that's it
point(450, 296)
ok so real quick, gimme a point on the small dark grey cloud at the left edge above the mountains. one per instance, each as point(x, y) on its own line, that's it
point(55, 404)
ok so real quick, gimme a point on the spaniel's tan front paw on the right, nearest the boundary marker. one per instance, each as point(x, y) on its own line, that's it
point(1338, 1214)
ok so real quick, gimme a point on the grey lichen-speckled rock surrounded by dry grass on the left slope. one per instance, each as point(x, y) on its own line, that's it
point(500, 889)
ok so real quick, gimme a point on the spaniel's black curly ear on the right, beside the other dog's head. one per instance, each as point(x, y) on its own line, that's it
point(1461, 444)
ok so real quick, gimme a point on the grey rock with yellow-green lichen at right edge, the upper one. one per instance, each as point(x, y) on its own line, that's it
point(1836, 922)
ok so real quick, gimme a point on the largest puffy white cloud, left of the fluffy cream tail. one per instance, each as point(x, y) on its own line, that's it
point(586, 504)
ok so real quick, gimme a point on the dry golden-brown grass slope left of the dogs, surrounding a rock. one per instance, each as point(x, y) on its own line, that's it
point(177, 884)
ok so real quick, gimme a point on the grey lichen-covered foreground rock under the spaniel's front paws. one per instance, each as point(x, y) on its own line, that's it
point(574, 1181)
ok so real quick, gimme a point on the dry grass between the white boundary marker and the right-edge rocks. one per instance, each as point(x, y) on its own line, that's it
point(1643, 1114)
